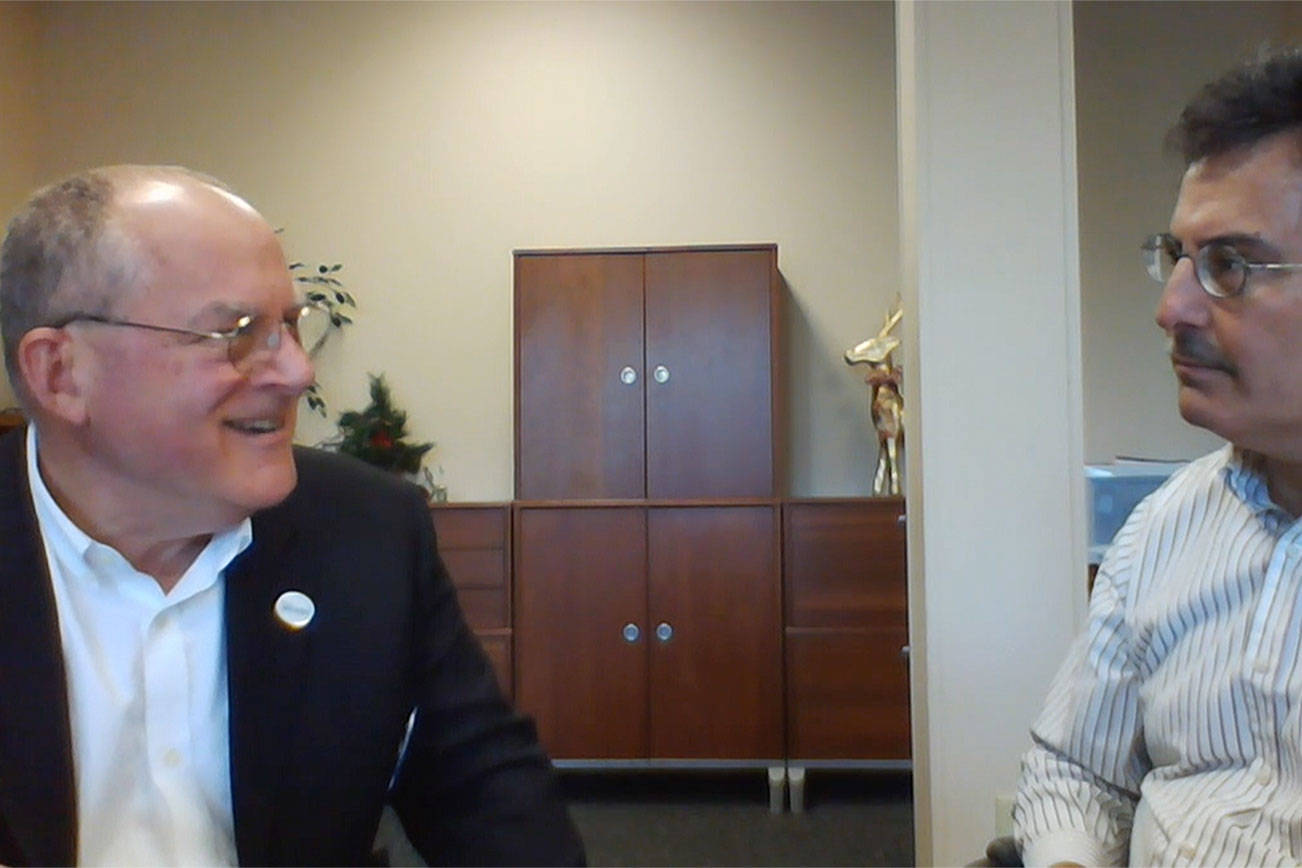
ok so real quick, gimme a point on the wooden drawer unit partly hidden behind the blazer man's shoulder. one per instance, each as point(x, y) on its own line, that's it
point(475, 542)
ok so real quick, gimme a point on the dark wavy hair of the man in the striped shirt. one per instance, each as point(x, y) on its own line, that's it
point(1257, 100)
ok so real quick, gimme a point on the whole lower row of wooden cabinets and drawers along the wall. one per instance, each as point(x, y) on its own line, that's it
point(645, 632)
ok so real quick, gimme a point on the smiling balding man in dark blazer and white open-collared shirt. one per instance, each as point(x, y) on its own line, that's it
point(213, 642)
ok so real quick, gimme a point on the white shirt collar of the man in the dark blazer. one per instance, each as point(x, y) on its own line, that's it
point(104, 562)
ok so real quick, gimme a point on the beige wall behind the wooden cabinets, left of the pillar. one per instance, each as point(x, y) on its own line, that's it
point(421, 144)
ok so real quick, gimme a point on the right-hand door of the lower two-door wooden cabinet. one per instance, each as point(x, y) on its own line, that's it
point(717, 684)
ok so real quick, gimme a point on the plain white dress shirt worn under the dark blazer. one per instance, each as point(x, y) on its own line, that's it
point(148, 696)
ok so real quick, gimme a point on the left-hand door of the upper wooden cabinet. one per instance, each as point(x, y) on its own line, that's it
point(580, 427)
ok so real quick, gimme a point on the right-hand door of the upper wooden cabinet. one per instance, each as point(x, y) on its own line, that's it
point(709, 325)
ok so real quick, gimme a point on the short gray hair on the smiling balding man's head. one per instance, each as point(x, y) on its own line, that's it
point(66, 253)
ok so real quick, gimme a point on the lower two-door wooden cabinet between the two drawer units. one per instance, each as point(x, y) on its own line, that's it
point(650, 632)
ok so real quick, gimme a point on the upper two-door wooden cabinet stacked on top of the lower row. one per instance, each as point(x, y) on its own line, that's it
point(648, 374)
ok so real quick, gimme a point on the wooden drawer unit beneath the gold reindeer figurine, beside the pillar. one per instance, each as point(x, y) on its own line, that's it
point(847, 629)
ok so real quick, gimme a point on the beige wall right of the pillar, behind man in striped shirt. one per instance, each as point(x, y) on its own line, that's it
point(1137, 64)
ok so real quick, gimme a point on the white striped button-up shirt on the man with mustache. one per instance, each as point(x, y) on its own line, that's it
point(1174, 732)
